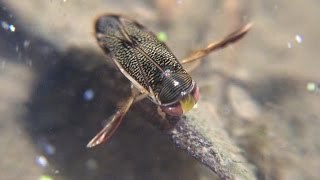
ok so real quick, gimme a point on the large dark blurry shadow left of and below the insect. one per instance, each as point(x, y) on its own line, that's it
point(63, 116)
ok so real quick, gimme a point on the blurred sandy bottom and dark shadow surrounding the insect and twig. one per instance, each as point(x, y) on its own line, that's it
point(57, 88)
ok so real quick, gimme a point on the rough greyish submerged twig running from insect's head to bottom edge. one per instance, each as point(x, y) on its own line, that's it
point(202, 136)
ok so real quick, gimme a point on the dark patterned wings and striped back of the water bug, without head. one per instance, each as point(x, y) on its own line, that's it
point(142, 58)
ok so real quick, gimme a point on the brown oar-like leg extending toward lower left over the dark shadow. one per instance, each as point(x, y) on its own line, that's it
point(116, 120)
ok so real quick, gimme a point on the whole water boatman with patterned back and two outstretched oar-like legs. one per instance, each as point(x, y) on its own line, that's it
point(151, 67)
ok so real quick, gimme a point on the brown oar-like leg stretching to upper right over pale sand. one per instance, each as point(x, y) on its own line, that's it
point(231, 38)
